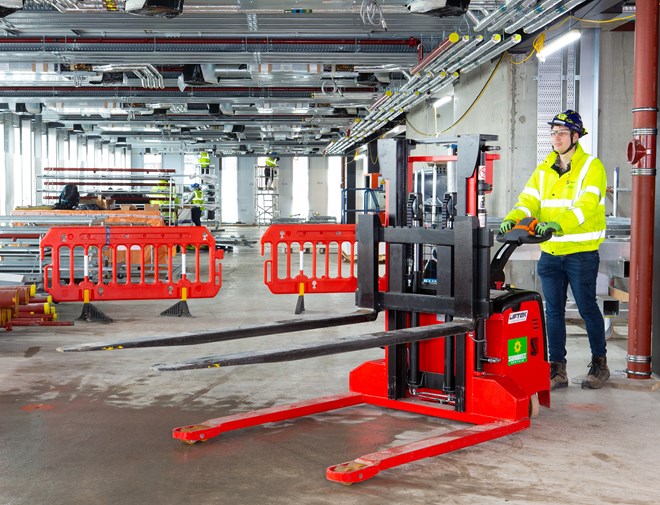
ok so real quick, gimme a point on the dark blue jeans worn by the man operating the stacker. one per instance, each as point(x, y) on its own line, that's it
point(580, 270)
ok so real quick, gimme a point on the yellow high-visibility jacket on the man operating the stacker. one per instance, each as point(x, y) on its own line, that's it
point(575, 201)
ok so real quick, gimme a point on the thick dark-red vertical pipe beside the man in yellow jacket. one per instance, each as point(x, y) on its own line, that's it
point(642, 154)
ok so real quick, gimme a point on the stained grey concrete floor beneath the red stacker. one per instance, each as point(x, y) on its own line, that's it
point(94, 428)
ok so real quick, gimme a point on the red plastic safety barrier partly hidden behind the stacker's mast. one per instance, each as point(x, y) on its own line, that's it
point(333, 259)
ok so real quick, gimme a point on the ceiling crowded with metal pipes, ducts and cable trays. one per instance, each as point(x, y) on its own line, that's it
point(250, 77)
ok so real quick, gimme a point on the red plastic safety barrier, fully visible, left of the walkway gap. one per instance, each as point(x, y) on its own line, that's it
point(129, 263)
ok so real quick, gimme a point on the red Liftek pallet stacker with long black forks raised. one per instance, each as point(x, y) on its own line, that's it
point(454, 347)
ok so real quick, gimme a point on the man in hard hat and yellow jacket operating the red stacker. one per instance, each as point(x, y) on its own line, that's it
point(566, 193)
